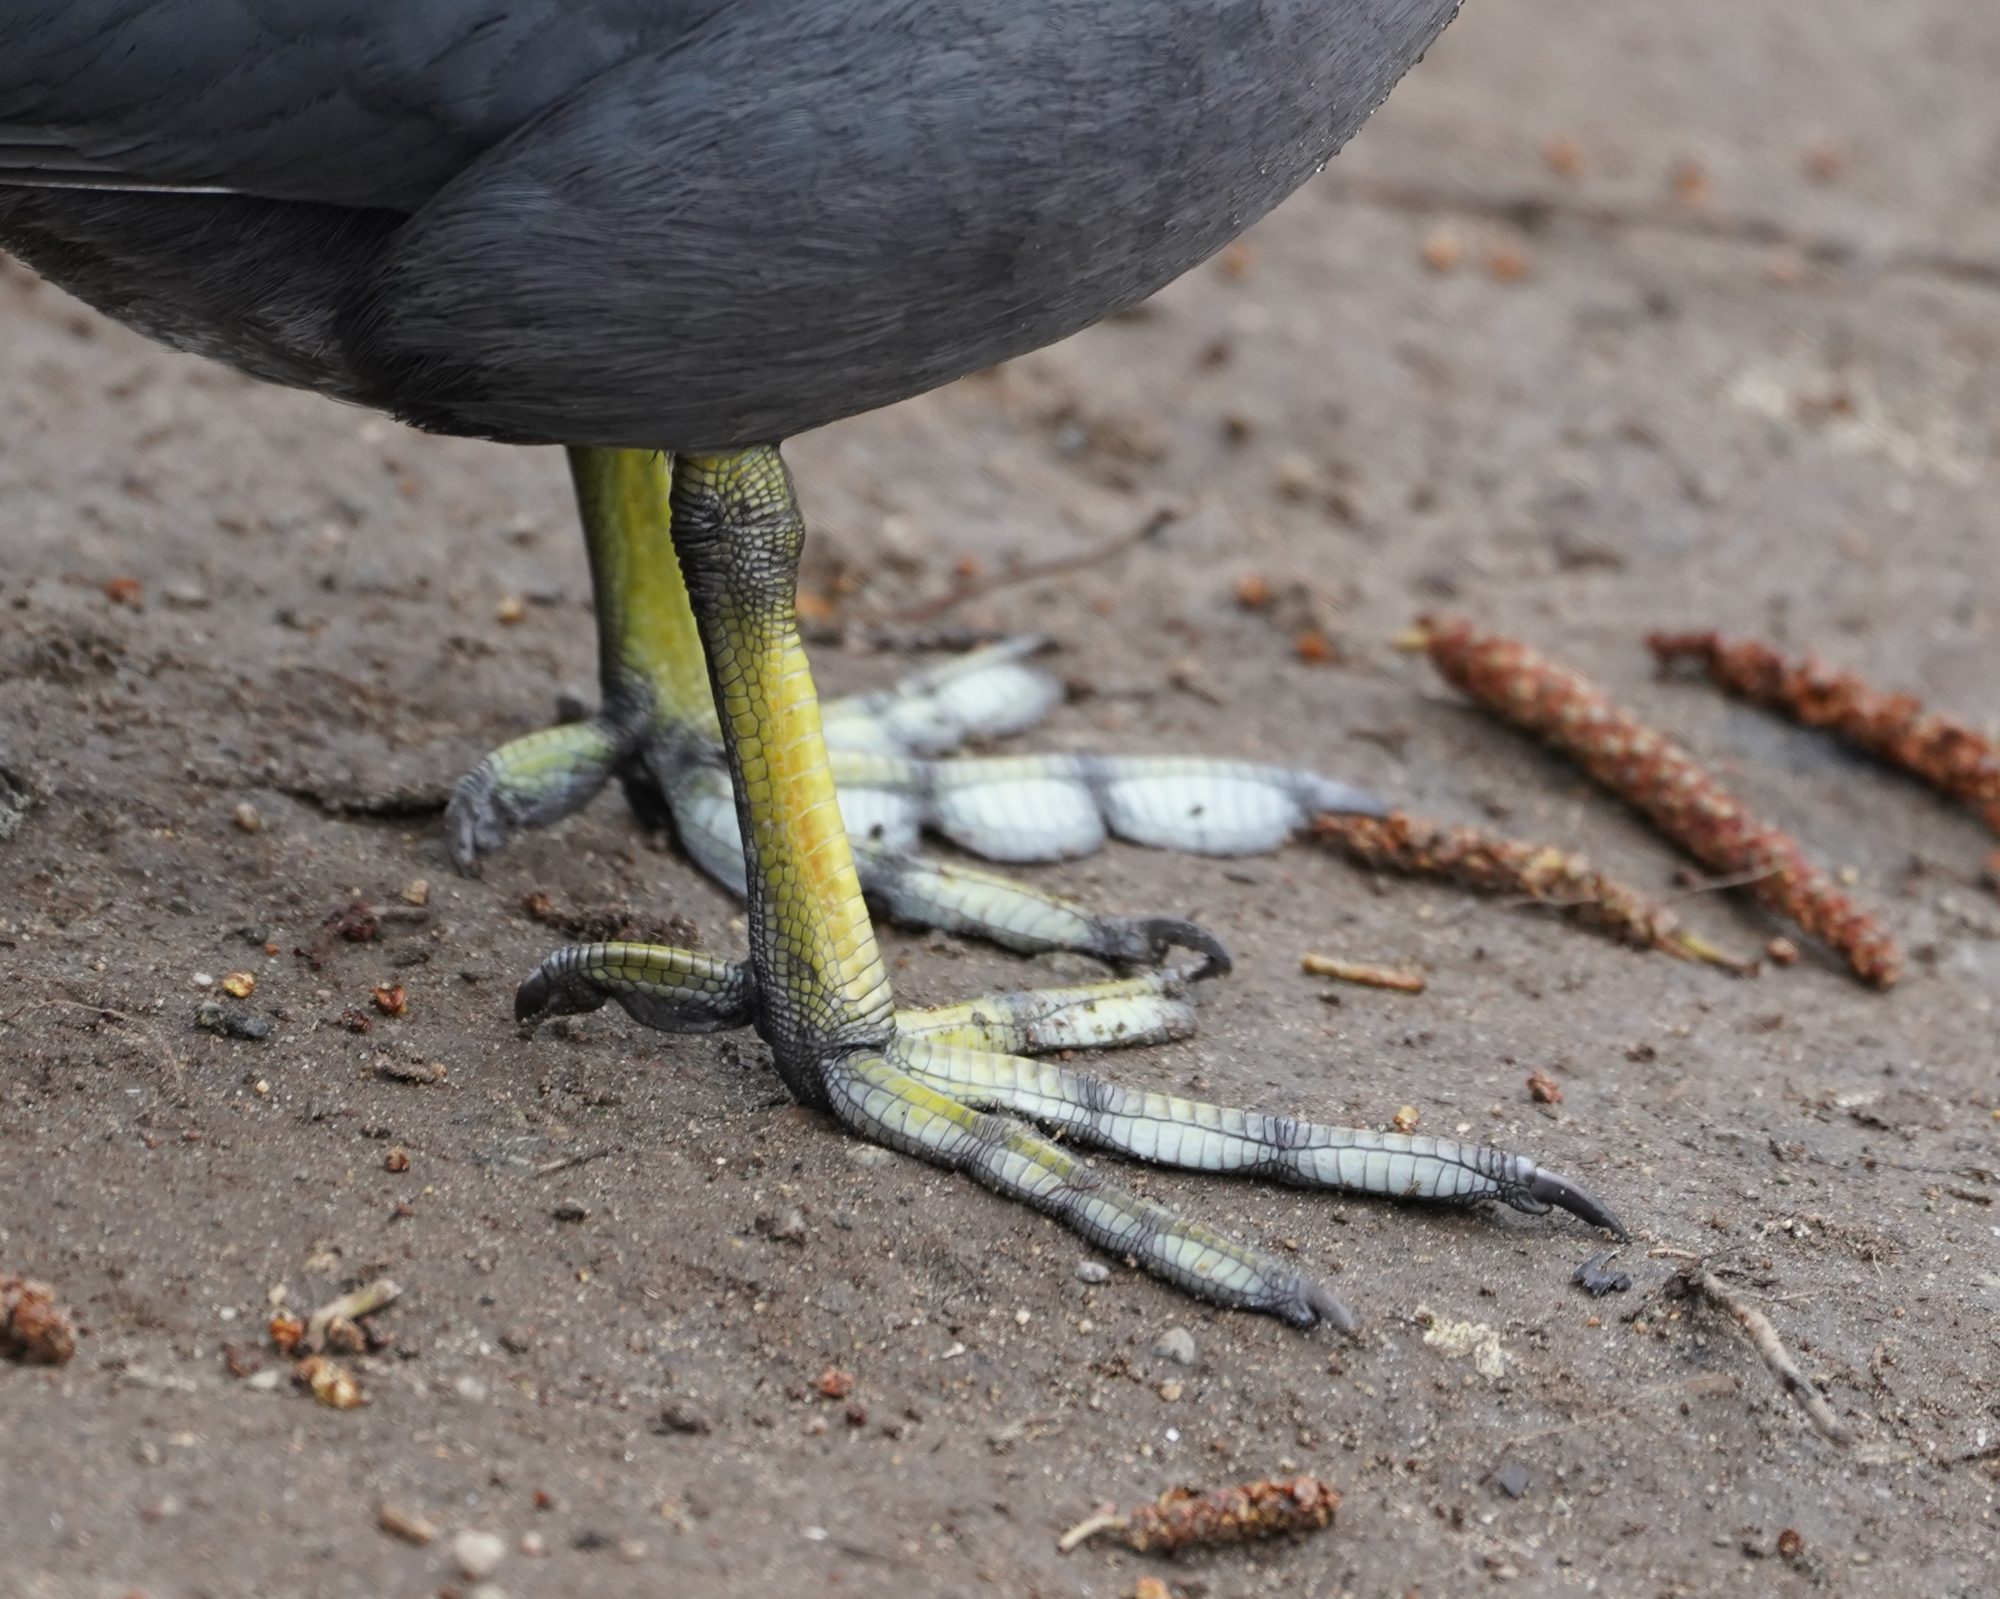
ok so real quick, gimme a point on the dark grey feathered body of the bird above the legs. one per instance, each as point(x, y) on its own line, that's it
point(673, 225)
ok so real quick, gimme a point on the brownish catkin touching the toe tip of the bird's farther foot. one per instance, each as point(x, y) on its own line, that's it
point(1541, 872)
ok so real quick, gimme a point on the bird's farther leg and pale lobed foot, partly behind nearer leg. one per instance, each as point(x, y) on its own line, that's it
point(657, 733)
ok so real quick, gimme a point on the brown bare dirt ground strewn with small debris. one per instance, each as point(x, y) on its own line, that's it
point(1723, 355)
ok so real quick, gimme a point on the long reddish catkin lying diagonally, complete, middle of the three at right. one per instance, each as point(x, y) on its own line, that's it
point(1663, 783)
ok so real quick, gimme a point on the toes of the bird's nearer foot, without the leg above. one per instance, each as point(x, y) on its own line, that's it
point(967, 1088)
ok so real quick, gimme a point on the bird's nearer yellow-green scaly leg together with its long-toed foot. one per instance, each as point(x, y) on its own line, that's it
point(943, 1084)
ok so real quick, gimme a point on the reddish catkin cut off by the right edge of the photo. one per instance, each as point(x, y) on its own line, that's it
point(1895, 729)
